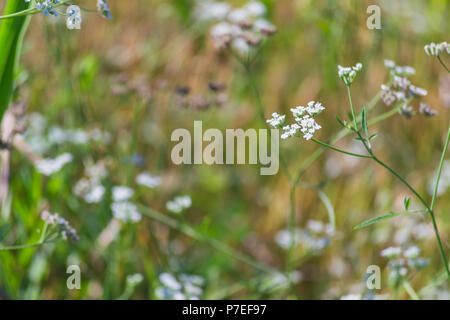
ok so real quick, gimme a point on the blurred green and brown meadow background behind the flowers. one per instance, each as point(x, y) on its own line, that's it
point(111, 94)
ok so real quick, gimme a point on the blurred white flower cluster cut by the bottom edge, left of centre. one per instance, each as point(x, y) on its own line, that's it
point(186, 287)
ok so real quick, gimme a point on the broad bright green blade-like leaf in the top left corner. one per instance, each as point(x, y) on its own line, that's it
point(12, 31)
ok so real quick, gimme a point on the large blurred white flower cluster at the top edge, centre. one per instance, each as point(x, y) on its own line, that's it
point(241, 28)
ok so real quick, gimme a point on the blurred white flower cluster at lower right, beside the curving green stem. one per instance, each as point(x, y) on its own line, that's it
point(401, 262)
